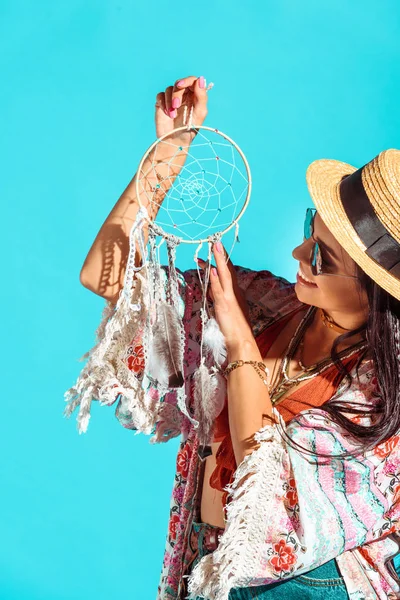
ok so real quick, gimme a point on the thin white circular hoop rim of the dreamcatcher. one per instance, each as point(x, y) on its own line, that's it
point(195, 128)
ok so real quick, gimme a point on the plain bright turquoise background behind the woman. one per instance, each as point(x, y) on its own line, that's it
point(85, 516)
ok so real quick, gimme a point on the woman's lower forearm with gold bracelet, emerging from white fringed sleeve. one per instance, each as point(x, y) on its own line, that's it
point(249, 403)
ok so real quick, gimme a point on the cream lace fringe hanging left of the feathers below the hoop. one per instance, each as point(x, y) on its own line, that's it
point(105, 374)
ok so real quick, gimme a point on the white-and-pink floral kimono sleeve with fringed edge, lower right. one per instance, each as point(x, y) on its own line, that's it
point(291, 511)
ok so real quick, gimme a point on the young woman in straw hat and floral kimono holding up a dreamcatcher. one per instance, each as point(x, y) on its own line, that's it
point(298, 493)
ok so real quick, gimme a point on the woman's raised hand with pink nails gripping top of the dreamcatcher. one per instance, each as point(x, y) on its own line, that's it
point(189, 91)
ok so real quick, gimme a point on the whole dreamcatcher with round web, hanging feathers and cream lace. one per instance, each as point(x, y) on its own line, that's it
point(205, 188)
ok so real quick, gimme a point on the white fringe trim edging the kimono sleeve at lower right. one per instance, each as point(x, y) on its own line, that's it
point(252, 493)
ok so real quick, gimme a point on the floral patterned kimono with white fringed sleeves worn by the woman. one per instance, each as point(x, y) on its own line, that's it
point(346, 509)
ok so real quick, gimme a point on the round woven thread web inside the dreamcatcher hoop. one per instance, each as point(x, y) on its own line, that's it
point(204, 196)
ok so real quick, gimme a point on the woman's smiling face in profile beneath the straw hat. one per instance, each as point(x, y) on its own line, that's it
point(334, 294)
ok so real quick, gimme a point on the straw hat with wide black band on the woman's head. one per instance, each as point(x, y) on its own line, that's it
point(362, 210)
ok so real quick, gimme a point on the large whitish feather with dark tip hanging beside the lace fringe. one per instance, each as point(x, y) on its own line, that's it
point(165, 363)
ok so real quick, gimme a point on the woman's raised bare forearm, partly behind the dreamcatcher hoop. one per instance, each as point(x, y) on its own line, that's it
point(103, 270)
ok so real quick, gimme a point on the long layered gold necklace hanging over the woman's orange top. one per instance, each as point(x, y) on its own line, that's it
point(285, 382)
